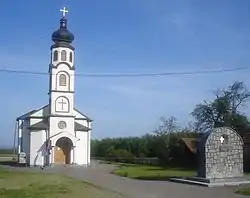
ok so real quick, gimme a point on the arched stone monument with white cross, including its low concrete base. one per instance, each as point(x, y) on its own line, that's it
point(220, 159)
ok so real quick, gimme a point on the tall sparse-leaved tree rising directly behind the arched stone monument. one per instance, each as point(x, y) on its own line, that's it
point(224, 110)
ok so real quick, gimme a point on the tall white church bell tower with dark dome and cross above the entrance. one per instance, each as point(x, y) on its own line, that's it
point(61, 82)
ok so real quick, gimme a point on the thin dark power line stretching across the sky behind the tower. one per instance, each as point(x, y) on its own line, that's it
point(132, 75)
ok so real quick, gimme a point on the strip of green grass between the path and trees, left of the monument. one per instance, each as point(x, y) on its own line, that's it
point(152, 172)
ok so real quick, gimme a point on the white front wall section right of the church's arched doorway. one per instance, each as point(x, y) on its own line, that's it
point(81, 155)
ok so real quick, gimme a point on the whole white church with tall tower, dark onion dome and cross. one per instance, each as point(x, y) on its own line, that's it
point(56, 133)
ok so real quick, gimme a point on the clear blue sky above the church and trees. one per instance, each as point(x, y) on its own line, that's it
point(132, 36)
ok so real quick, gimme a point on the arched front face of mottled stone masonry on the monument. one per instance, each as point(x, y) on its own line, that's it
point(224, 160)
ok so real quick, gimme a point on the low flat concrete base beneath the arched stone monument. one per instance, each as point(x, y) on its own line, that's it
point(213, 182)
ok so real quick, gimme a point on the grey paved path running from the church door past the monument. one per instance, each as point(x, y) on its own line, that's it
point(100, 175)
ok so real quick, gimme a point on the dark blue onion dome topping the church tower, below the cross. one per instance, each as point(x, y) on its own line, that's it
point(63, 34)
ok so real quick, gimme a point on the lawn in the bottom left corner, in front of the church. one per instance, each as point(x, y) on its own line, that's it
point(42, 185)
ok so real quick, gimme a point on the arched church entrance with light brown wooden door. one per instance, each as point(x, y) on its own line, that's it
point(62, 151)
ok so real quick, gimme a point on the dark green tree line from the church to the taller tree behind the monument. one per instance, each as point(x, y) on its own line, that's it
point(226, 109)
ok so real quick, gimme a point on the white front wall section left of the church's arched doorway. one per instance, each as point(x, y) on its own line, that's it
point(37, 147)
